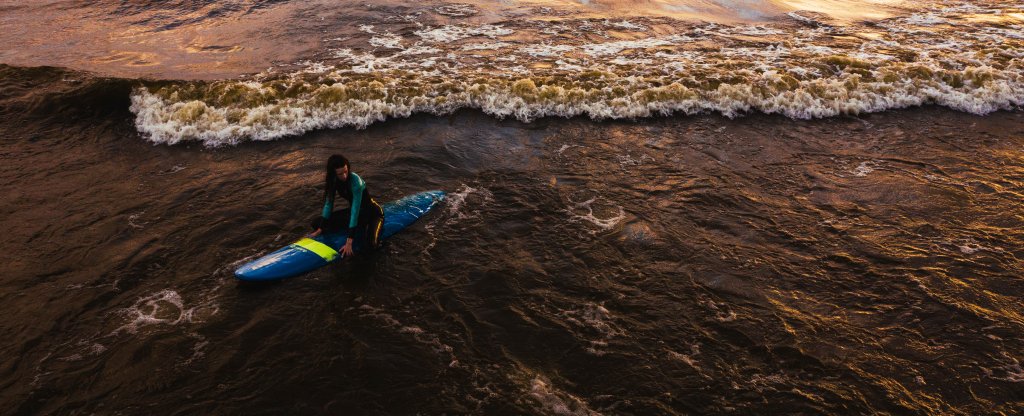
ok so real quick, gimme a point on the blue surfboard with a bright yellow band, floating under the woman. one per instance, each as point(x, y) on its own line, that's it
point(309, 255)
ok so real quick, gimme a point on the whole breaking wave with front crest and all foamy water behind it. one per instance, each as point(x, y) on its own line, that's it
point(970, 59)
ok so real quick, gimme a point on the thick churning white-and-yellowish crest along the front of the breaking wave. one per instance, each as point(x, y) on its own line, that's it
point(227, 113)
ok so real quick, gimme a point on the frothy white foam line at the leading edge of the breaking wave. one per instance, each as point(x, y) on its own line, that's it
point(165, 120)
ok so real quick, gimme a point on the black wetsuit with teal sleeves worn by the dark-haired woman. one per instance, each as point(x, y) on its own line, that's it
point(364, 219)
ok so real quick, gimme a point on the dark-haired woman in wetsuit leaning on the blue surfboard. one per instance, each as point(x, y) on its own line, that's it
point(364, 218)
